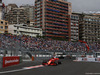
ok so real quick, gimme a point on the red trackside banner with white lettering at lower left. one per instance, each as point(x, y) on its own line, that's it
point(8, 61)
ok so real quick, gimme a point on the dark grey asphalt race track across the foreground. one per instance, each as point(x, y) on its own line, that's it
point(68, 67)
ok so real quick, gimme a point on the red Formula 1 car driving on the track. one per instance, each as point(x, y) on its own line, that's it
point(52, 61)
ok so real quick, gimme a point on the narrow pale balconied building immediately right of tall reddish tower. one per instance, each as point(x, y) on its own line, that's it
point(74, 27)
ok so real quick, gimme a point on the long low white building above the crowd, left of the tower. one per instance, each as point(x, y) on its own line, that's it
point(21, 29)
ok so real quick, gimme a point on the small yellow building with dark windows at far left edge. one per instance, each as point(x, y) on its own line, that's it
point(3, 26)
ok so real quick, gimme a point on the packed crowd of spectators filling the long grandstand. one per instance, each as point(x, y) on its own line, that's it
point(22, 42)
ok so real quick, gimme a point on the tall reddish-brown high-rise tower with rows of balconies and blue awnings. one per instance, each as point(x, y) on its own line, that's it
point(53, 16)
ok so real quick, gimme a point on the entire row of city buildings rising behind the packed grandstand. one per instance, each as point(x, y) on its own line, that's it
point(54, 18)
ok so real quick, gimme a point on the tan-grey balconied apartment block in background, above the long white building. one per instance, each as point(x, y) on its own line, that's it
point(17, 16)
